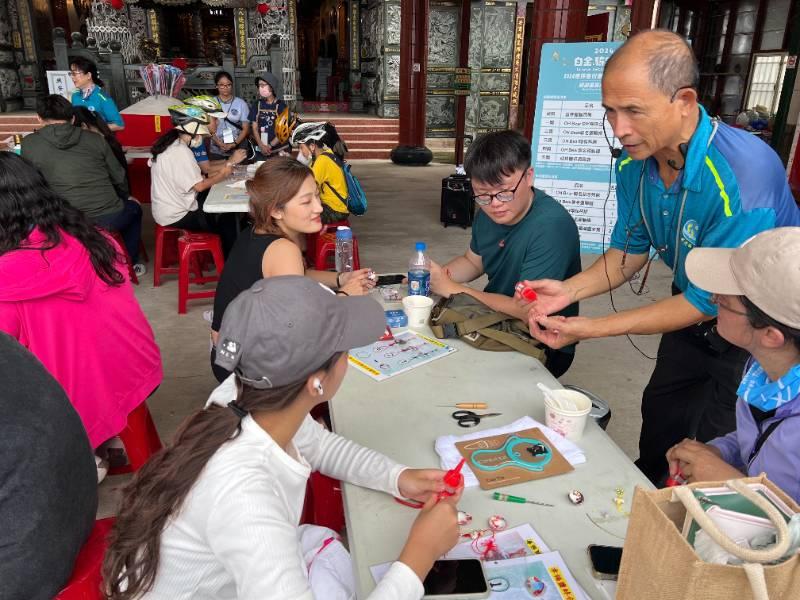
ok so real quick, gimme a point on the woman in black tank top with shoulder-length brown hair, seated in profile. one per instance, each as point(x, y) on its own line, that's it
point(285, 207)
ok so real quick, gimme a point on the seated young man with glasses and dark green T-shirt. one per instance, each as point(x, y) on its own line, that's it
point(519, 233)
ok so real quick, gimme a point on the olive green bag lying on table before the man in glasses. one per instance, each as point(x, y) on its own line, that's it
point(464, 317)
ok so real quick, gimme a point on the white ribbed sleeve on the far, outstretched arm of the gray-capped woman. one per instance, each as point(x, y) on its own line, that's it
point(343, 459)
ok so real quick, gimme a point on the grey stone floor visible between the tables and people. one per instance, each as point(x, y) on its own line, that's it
point(404, 208)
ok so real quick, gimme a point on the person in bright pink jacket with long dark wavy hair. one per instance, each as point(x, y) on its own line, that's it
point(65, 295)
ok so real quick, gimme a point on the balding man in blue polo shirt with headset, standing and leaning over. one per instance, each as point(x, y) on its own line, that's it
point(683, 181)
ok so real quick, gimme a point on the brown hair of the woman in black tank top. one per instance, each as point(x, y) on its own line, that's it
point(275, 183)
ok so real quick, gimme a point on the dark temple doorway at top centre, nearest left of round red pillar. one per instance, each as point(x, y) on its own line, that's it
point(323, 51)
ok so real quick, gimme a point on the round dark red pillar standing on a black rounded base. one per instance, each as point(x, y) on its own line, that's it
point(413, 84)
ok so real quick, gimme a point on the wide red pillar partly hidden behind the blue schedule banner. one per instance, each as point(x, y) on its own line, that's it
point(553, 21)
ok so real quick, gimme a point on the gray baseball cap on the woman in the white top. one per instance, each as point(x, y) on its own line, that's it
point(284, 328)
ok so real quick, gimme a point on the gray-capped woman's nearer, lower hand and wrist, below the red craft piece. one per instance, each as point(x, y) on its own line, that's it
point(434, 532)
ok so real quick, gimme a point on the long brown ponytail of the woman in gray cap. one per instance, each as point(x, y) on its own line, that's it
point(159, 488)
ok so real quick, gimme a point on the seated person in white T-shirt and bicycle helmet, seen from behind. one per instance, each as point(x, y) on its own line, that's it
point(178, 188)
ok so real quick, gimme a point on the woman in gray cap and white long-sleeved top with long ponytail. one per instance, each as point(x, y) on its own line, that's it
point(216, 514)
